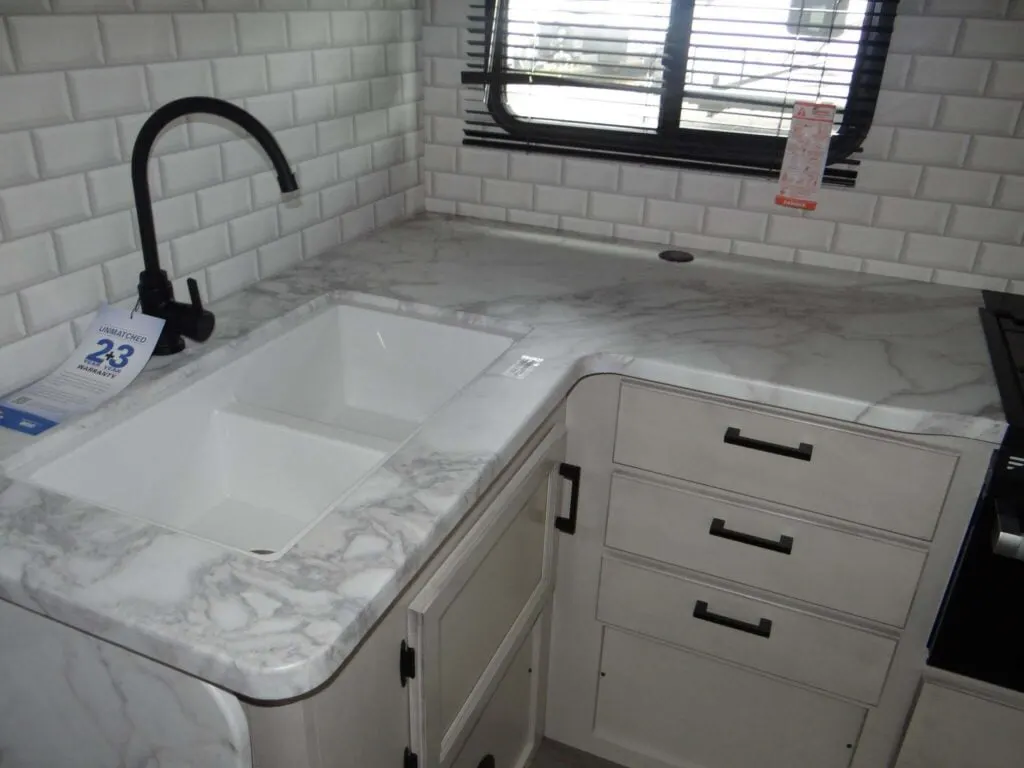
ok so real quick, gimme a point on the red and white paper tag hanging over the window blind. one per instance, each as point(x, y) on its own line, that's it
point(806, 156)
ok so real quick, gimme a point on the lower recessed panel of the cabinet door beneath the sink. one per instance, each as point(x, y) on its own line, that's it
point(505, 731)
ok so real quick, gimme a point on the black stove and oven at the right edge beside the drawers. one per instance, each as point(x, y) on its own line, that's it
point(980, 630)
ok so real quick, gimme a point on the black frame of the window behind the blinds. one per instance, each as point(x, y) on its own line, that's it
point(671, 144)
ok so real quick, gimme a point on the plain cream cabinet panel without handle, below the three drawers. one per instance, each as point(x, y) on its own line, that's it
point(688, 710)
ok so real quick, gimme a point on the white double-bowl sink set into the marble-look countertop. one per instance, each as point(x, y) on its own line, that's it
point(254, 455)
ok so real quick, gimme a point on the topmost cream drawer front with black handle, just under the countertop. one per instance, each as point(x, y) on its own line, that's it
point(869, 481)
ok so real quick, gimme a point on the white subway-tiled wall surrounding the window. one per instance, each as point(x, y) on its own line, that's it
point(940, 198)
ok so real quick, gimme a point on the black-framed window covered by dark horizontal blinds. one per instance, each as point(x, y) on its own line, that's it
point(696, 83)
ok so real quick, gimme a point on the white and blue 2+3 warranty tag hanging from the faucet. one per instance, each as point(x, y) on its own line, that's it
point(114, 352)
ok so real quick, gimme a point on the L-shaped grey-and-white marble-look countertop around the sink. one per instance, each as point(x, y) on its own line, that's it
point(889, 354)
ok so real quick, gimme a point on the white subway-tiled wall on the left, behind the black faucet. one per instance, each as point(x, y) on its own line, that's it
point(337, 81)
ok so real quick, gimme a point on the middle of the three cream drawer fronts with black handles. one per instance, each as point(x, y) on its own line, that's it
point(688, 527)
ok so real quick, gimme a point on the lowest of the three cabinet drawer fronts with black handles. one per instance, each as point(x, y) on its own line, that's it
point(767, 637)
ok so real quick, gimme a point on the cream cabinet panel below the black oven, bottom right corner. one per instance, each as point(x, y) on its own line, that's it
point(957, 730)
